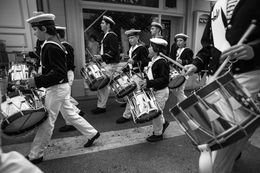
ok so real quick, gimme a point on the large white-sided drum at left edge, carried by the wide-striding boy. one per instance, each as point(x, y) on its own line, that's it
point(21, 112)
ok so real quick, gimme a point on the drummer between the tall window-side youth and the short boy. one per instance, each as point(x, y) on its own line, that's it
point(138, 59)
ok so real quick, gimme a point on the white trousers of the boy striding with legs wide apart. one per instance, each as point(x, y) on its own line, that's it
point(58, 97)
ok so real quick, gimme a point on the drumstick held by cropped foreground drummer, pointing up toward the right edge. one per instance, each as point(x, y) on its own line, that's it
point(243, 38)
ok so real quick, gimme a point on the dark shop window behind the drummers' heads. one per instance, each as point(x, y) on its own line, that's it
point(124, 21)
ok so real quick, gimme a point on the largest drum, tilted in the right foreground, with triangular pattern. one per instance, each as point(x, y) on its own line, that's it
point(218, 114)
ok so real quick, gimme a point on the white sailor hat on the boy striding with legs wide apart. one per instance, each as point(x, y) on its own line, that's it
point(41, 19)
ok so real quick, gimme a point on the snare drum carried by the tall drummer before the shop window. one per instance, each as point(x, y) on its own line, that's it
point(95, 76)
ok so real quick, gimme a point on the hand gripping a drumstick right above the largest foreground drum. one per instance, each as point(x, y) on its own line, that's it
point(238, 52)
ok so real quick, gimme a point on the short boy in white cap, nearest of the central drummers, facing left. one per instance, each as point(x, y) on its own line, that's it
point(158, 79)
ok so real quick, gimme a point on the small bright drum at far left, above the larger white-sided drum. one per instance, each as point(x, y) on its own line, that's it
point(18, 72)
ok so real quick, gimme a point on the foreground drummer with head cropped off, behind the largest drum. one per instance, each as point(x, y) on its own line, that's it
point(227, 23)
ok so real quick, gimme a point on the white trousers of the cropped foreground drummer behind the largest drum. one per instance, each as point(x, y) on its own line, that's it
point(224, 159)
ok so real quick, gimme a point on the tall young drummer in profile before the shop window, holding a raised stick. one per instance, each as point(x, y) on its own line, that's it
point(109, 54)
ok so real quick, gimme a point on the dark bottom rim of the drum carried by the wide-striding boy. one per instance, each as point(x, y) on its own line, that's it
point(18, 115)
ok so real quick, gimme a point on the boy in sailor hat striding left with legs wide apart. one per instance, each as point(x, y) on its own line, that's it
point(54, 78)
